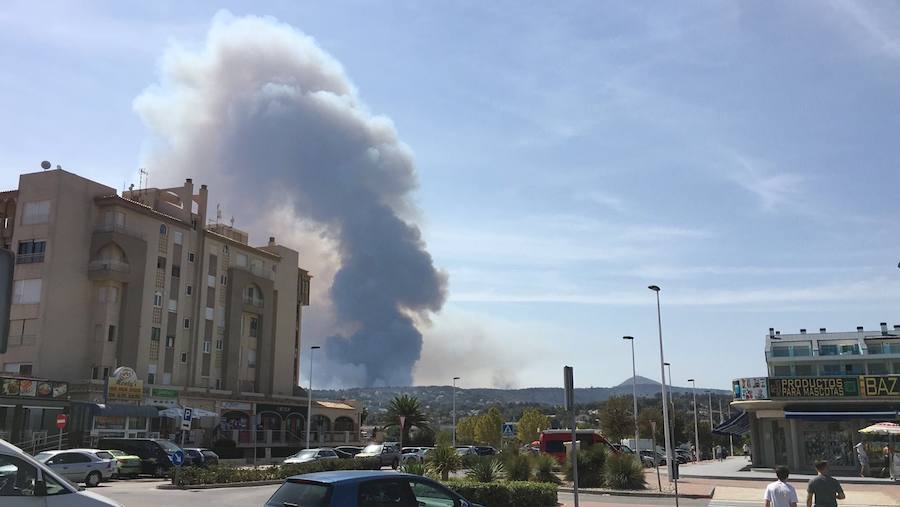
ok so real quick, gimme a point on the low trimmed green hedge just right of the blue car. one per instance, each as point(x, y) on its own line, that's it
point(506, 494)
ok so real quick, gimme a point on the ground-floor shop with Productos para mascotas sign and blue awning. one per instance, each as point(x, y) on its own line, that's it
point(799, 420)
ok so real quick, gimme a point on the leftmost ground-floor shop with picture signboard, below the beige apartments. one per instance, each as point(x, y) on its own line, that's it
point(28, 409)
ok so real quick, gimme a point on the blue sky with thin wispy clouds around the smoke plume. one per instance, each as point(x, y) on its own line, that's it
point(741, 155)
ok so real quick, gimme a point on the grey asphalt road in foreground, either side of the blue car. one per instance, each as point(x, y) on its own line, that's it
point(143, 493)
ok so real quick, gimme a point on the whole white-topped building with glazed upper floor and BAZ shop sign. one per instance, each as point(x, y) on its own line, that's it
point(821, 389)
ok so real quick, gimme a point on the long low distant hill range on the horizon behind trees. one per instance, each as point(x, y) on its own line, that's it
point(438, 399)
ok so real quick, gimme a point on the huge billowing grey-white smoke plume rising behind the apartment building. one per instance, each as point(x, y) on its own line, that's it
point(272, 121)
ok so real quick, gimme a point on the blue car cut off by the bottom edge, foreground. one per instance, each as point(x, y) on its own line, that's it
point(364, 488)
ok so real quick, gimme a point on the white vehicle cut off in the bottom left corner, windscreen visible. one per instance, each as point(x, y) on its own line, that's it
point(26, 482)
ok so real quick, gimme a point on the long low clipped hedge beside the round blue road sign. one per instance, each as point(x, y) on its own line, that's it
point(190, 476)
